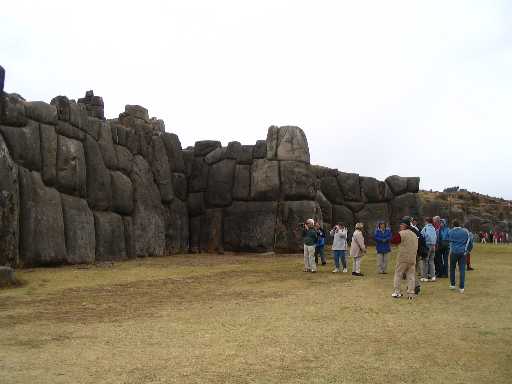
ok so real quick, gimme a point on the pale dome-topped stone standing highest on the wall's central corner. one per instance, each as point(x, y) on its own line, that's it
point(293, 144)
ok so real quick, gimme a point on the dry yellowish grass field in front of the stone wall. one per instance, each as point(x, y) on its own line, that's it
point(254, 319)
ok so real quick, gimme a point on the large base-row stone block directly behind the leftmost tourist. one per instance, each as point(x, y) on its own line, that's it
point(290, 214)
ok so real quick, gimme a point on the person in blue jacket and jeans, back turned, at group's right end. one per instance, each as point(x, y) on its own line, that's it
point(461, 243)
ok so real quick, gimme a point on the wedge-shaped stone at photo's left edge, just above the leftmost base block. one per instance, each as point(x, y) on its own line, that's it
point(24, 144)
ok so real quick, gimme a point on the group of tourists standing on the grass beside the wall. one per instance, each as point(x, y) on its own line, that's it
point(432, 251)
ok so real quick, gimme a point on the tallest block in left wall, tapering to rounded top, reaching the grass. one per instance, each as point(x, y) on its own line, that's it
point(148, 215)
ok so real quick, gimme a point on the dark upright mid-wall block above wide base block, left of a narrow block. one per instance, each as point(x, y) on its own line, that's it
point(220, 183)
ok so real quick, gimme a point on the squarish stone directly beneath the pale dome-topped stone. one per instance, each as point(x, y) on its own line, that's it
point(297, 181)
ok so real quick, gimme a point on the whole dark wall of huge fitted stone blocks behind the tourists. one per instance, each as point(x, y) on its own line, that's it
point(76, 187)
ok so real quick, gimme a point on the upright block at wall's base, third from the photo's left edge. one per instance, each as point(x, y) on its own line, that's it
point(79, 230)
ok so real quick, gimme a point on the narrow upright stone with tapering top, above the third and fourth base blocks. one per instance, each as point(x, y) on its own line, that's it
point(99, 189)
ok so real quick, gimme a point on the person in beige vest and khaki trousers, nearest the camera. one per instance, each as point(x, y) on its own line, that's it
point(406, 260)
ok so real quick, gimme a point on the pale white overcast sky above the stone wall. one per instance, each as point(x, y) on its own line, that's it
point(380, 87)
